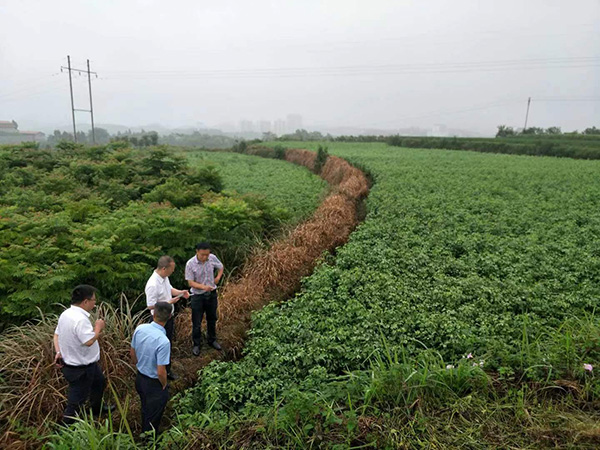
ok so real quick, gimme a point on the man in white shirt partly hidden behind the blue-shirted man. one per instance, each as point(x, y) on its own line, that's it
point(159, 289)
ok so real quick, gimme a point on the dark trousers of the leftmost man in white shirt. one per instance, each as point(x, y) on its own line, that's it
point(84, 382)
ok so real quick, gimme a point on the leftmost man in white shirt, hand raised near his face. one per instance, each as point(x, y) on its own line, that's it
point(78, 353)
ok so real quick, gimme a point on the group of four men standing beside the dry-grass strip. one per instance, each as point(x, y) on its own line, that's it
point(78, 351)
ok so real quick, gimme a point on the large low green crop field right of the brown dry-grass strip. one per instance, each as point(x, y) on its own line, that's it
point(493, 257)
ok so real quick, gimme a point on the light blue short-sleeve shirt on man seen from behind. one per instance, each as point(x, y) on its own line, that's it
point(152, 348)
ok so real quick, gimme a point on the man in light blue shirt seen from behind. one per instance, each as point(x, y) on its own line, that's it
point(151, 353)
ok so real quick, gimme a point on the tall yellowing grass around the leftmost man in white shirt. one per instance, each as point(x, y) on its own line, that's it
point(32, 389)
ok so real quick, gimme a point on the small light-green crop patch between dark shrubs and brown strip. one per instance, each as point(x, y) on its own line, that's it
point(286, 186)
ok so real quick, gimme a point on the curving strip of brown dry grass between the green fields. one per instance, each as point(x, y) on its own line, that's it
point(276, 272)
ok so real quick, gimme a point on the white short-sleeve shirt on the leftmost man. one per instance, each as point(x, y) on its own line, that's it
point(74, 329)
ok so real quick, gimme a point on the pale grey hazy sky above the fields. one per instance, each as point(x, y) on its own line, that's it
point(464, 63)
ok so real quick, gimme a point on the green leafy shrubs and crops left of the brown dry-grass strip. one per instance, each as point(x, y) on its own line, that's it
point(104, 215)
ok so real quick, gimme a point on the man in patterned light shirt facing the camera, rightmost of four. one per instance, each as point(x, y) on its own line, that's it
point(200, 275)
